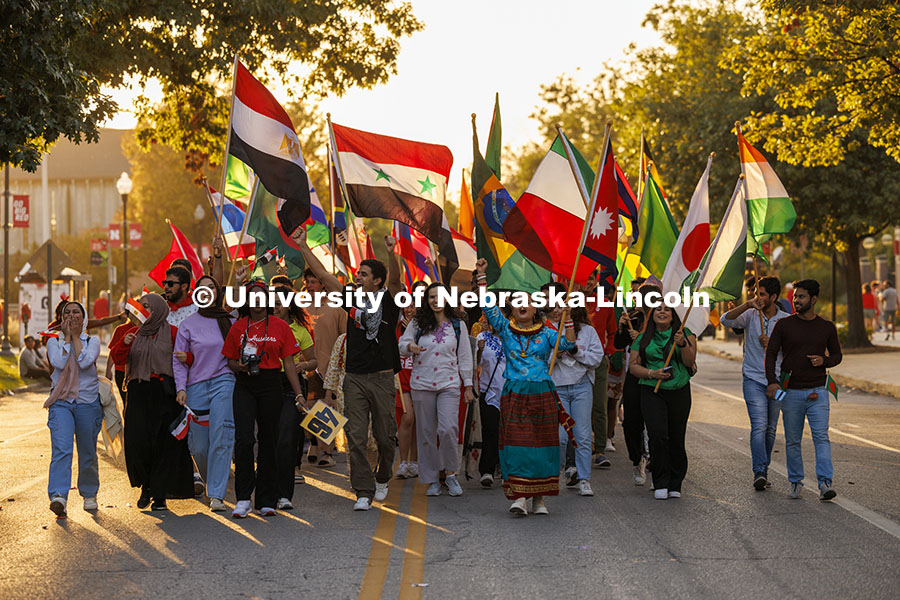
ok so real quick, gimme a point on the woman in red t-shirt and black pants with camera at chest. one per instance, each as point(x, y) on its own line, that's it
point(257, 347)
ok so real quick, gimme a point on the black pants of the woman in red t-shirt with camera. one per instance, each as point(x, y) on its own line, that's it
point(257, 401)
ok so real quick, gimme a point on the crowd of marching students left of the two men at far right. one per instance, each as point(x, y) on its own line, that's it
point(548, 388)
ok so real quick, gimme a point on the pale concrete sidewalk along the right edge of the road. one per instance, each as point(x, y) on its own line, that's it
point(872, 372)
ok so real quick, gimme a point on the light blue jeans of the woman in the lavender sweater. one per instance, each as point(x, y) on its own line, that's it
point(213, 446)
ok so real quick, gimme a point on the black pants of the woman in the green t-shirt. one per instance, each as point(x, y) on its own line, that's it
point(666, 413)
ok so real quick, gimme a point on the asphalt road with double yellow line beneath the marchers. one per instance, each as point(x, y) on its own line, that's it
point(720, 540)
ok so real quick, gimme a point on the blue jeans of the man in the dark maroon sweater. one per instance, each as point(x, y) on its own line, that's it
point(796, 407)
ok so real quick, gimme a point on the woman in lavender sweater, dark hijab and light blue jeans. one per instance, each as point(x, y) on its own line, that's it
point(205, 385)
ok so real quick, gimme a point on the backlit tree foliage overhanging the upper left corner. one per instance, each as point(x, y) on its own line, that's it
point(63, 52)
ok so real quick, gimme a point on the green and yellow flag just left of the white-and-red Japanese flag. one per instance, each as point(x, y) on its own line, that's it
point(658, 232)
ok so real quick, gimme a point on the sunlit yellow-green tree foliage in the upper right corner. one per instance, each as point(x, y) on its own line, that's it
point(833, 69)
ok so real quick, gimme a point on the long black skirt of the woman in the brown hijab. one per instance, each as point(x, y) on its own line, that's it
point(155, 460)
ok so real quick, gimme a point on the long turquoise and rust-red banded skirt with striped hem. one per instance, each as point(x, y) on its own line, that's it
point(528, 443)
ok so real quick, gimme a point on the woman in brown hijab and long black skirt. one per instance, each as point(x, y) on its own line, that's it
point(157, 462)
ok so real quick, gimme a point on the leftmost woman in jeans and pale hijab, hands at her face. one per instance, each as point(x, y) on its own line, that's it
point(74, 410)
